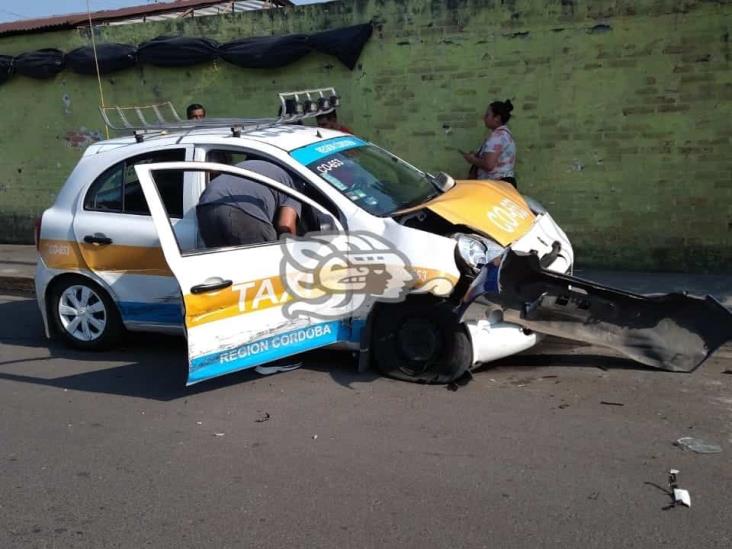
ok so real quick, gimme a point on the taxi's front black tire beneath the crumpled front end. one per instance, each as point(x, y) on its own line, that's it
point(421, 341)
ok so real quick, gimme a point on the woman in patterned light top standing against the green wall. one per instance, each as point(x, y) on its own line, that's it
point(497, 157)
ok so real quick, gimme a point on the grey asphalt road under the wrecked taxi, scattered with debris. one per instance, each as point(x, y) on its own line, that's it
point(111, 450)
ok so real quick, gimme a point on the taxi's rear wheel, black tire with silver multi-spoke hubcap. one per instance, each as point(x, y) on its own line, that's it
point(84, 315)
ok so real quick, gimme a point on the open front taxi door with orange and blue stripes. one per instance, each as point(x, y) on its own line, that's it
point(235, 298)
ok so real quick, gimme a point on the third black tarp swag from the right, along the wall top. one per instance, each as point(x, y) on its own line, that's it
point(177, 51)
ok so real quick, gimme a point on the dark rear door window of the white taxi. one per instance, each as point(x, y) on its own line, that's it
point(118, 188)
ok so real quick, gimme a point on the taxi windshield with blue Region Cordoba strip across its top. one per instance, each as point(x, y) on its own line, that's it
point(372, 178)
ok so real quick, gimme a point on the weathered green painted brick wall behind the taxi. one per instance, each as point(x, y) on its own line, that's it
point(622, 116)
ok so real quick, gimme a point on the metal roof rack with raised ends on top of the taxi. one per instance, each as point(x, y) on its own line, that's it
point(163, 117)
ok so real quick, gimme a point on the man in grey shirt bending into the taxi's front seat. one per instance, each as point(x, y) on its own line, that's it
point(235, 211)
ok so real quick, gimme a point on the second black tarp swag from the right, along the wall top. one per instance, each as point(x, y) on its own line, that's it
point(265, 51)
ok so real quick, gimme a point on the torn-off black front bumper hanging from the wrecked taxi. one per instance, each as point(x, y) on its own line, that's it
point(674, 332)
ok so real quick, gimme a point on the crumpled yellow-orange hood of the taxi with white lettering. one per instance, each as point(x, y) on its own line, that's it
point(493, 208)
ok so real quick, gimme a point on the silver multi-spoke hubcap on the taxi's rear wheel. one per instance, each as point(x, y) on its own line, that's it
point(82, 313)
